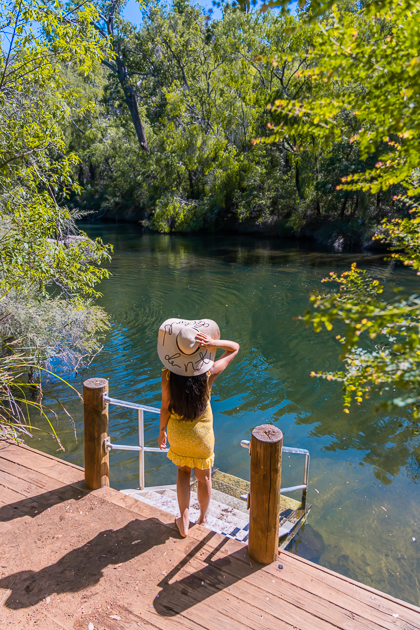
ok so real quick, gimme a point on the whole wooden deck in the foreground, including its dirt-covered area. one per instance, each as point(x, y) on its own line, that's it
point(101, 560)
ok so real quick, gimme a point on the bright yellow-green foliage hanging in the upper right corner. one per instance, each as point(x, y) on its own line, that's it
point(363, 66)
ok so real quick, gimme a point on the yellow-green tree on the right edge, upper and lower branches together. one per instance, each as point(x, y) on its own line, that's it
point(369, 56)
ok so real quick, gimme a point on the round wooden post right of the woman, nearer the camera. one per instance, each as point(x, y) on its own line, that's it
point(266, 449)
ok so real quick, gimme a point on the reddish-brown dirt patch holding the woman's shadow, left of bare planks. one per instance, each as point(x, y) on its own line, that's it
point(65, 569)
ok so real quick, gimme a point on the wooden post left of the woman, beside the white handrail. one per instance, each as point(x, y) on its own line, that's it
point(96, 430)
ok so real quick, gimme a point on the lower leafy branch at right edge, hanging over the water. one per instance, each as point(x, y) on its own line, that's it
point(381, 344)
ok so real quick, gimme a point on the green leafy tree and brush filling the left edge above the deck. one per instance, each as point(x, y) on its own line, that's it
point(48, 268)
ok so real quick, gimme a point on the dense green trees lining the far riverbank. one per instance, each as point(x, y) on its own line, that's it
point(171, 142)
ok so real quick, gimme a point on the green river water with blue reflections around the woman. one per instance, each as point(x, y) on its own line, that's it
point(365, 467)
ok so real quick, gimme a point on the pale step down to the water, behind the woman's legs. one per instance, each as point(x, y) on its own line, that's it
point(221, 516)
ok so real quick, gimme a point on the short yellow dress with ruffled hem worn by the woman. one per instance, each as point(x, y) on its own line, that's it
point(192, 443)
